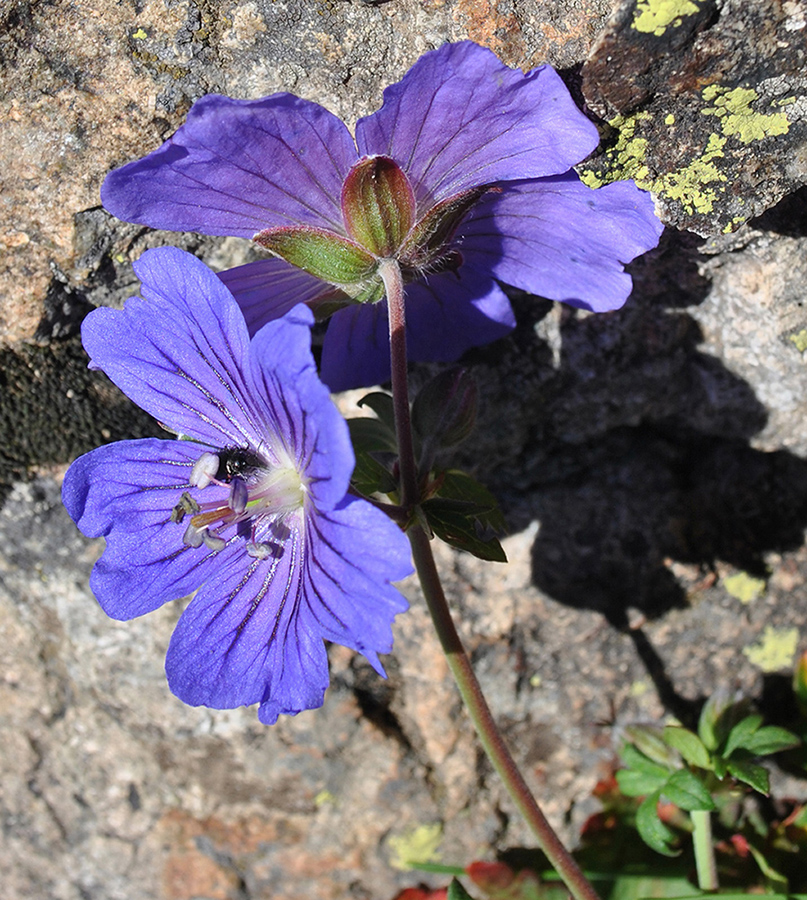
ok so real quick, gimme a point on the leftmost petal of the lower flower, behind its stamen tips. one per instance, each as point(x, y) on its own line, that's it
point(125, 492)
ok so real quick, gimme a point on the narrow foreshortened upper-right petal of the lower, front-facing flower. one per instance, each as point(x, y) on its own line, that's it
point(299, 409)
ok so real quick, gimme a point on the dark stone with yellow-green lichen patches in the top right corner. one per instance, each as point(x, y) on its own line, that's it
point(706, 105)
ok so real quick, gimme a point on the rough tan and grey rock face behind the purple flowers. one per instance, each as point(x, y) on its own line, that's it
point(644, 459)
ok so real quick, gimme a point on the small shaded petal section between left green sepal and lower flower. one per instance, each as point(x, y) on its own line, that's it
point(269, 288)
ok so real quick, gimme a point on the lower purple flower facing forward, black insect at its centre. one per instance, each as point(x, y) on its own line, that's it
point(250, 507)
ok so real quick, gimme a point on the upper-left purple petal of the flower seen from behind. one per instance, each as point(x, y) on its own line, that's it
point(237, 167)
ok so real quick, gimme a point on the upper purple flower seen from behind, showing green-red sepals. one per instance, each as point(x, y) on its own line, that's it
point(464, 175)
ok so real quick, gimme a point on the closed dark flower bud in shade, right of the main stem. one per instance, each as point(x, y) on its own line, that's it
point(444, 411)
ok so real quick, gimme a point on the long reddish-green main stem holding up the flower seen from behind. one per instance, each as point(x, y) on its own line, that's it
point(478, 709)
